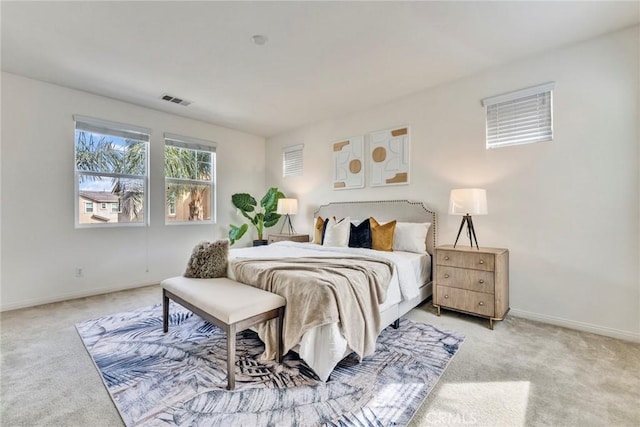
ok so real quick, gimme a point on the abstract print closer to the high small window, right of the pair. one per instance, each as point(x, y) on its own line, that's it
point(389, 157)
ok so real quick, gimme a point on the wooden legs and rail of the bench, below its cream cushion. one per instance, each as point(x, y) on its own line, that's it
point(230, 329)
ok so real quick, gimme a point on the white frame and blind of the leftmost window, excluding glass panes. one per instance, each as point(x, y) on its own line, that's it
point(121, 130)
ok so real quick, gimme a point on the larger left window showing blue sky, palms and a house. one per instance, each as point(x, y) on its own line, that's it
point(111, 164)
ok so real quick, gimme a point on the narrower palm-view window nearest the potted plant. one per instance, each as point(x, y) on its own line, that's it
point(189, 169)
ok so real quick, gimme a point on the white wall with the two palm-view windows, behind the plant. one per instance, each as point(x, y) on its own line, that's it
point(41, 248)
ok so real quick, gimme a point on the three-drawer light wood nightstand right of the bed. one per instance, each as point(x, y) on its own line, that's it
point(472, 281)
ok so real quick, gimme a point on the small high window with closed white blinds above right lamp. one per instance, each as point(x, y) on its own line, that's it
point(521, 117)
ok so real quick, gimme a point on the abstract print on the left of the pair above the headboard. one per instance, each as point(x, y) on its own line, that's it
point(348, 163)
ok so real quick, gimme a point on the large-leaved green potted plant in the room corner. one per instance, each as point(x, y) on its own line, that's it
point(261, 217)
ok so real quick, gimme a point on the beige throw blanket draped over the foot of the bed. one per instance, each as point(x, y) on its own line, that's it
point(320, 291)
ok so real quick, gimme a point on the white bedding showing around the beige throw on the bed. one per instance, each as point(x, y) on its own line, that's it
point(323, 347)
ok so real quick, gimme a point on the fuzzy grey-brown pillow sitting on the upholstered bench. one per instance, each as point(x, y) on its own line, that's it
point(208, 260)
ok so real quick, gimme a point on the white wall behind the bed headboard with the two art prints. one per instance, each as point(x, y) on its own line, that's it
point(567, 210)
